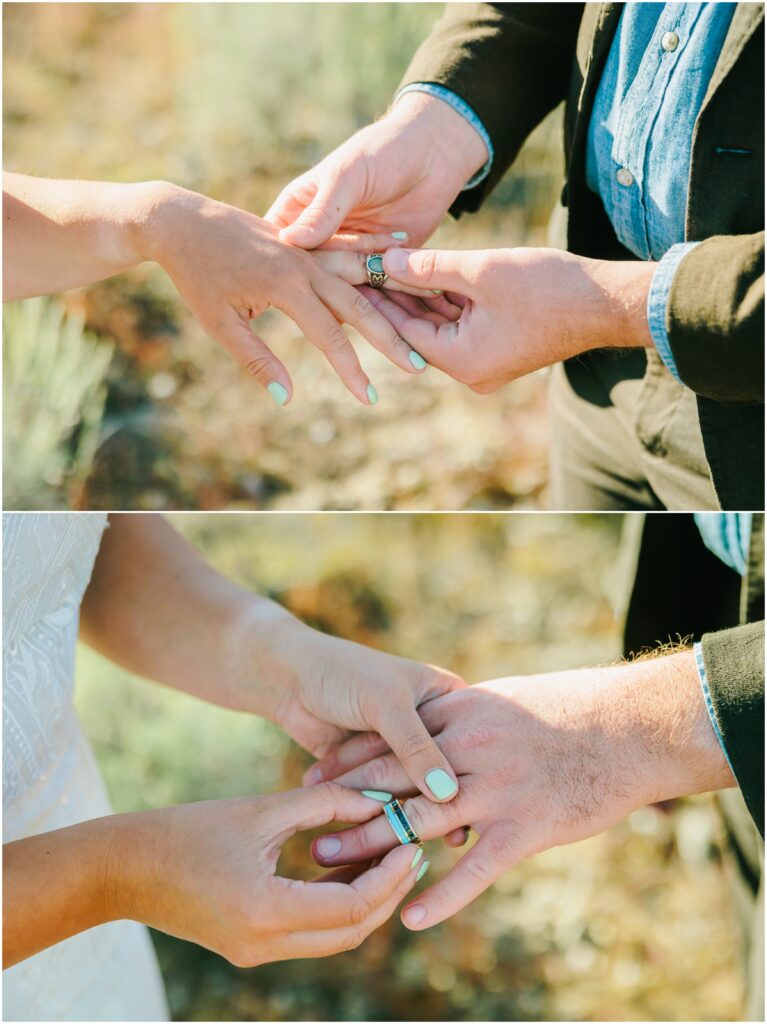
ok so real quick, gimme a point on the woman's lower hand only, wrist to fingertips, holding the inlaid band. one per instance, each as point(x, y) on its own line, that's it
point(207, 873)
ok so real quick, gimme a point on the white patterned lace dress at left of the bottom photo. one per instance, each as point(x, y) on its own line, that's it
point(51, 779)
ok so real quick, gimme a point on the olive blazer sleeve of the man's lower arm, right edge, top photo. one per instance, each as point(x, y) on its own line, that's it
point(715, 319)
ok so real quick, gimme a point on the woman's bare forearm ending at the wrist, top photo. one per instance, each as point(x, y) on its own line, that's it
point(61, 235)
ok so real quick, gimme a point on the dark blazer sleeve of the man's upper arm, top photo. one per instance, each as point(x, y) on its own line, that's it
point(512, 63)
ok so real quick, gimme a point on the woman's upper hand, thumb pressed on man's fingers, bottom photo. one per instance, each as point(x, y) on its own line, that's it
point(321, 689)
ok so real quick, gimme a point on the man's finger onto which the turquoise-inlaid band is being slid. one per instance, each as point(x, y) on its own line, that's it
point(361, 843)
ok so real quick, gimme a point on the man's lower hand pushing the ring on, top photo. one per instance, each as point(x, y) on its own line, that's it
point(523, 310)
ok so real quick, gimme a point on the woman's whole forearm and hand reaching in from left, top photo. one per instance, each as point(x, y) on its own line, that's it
point(229, 266)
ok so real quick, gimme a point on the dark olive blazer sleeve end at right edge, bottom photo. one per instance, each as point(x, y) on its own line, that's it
point(735, 670)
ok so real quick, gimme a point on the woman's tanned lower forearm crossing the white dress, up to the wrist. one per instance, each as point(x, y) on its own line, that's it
point(57, 885)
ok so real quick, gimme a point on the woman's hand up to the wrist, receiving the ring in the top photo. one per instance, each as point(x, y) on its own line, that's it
point(230, 267)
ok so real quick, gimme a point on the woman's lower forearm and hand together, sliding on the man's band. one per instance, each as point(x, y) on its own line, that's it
point(206, 873)
